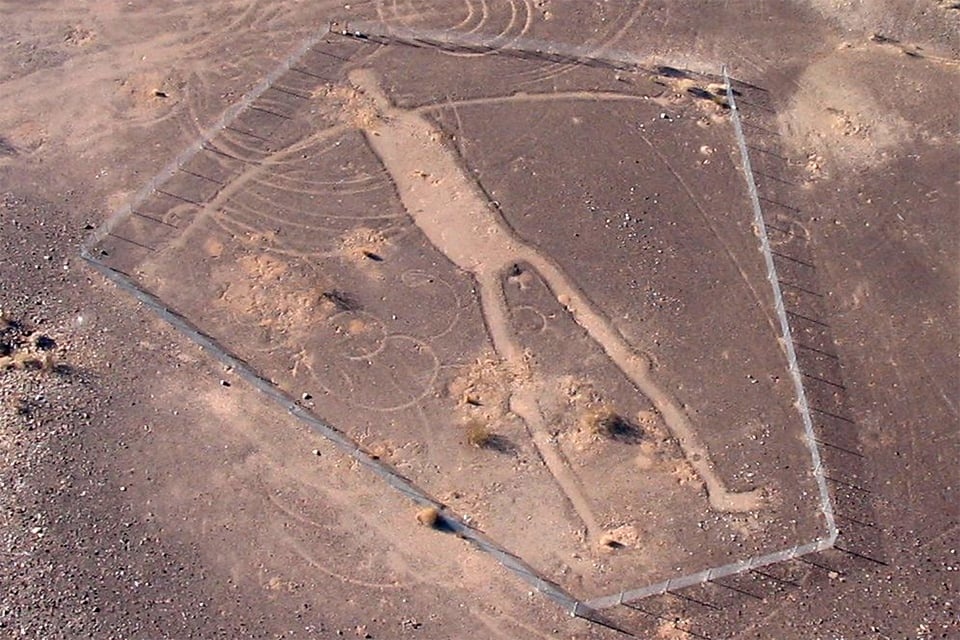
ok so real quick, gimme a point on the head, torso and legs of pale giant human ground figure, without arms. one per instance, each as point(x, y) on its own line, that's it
point(460, 221)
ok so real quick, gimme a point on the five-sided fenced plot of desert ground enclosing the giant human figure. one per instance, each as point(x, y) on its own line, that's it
point(522, 283)
